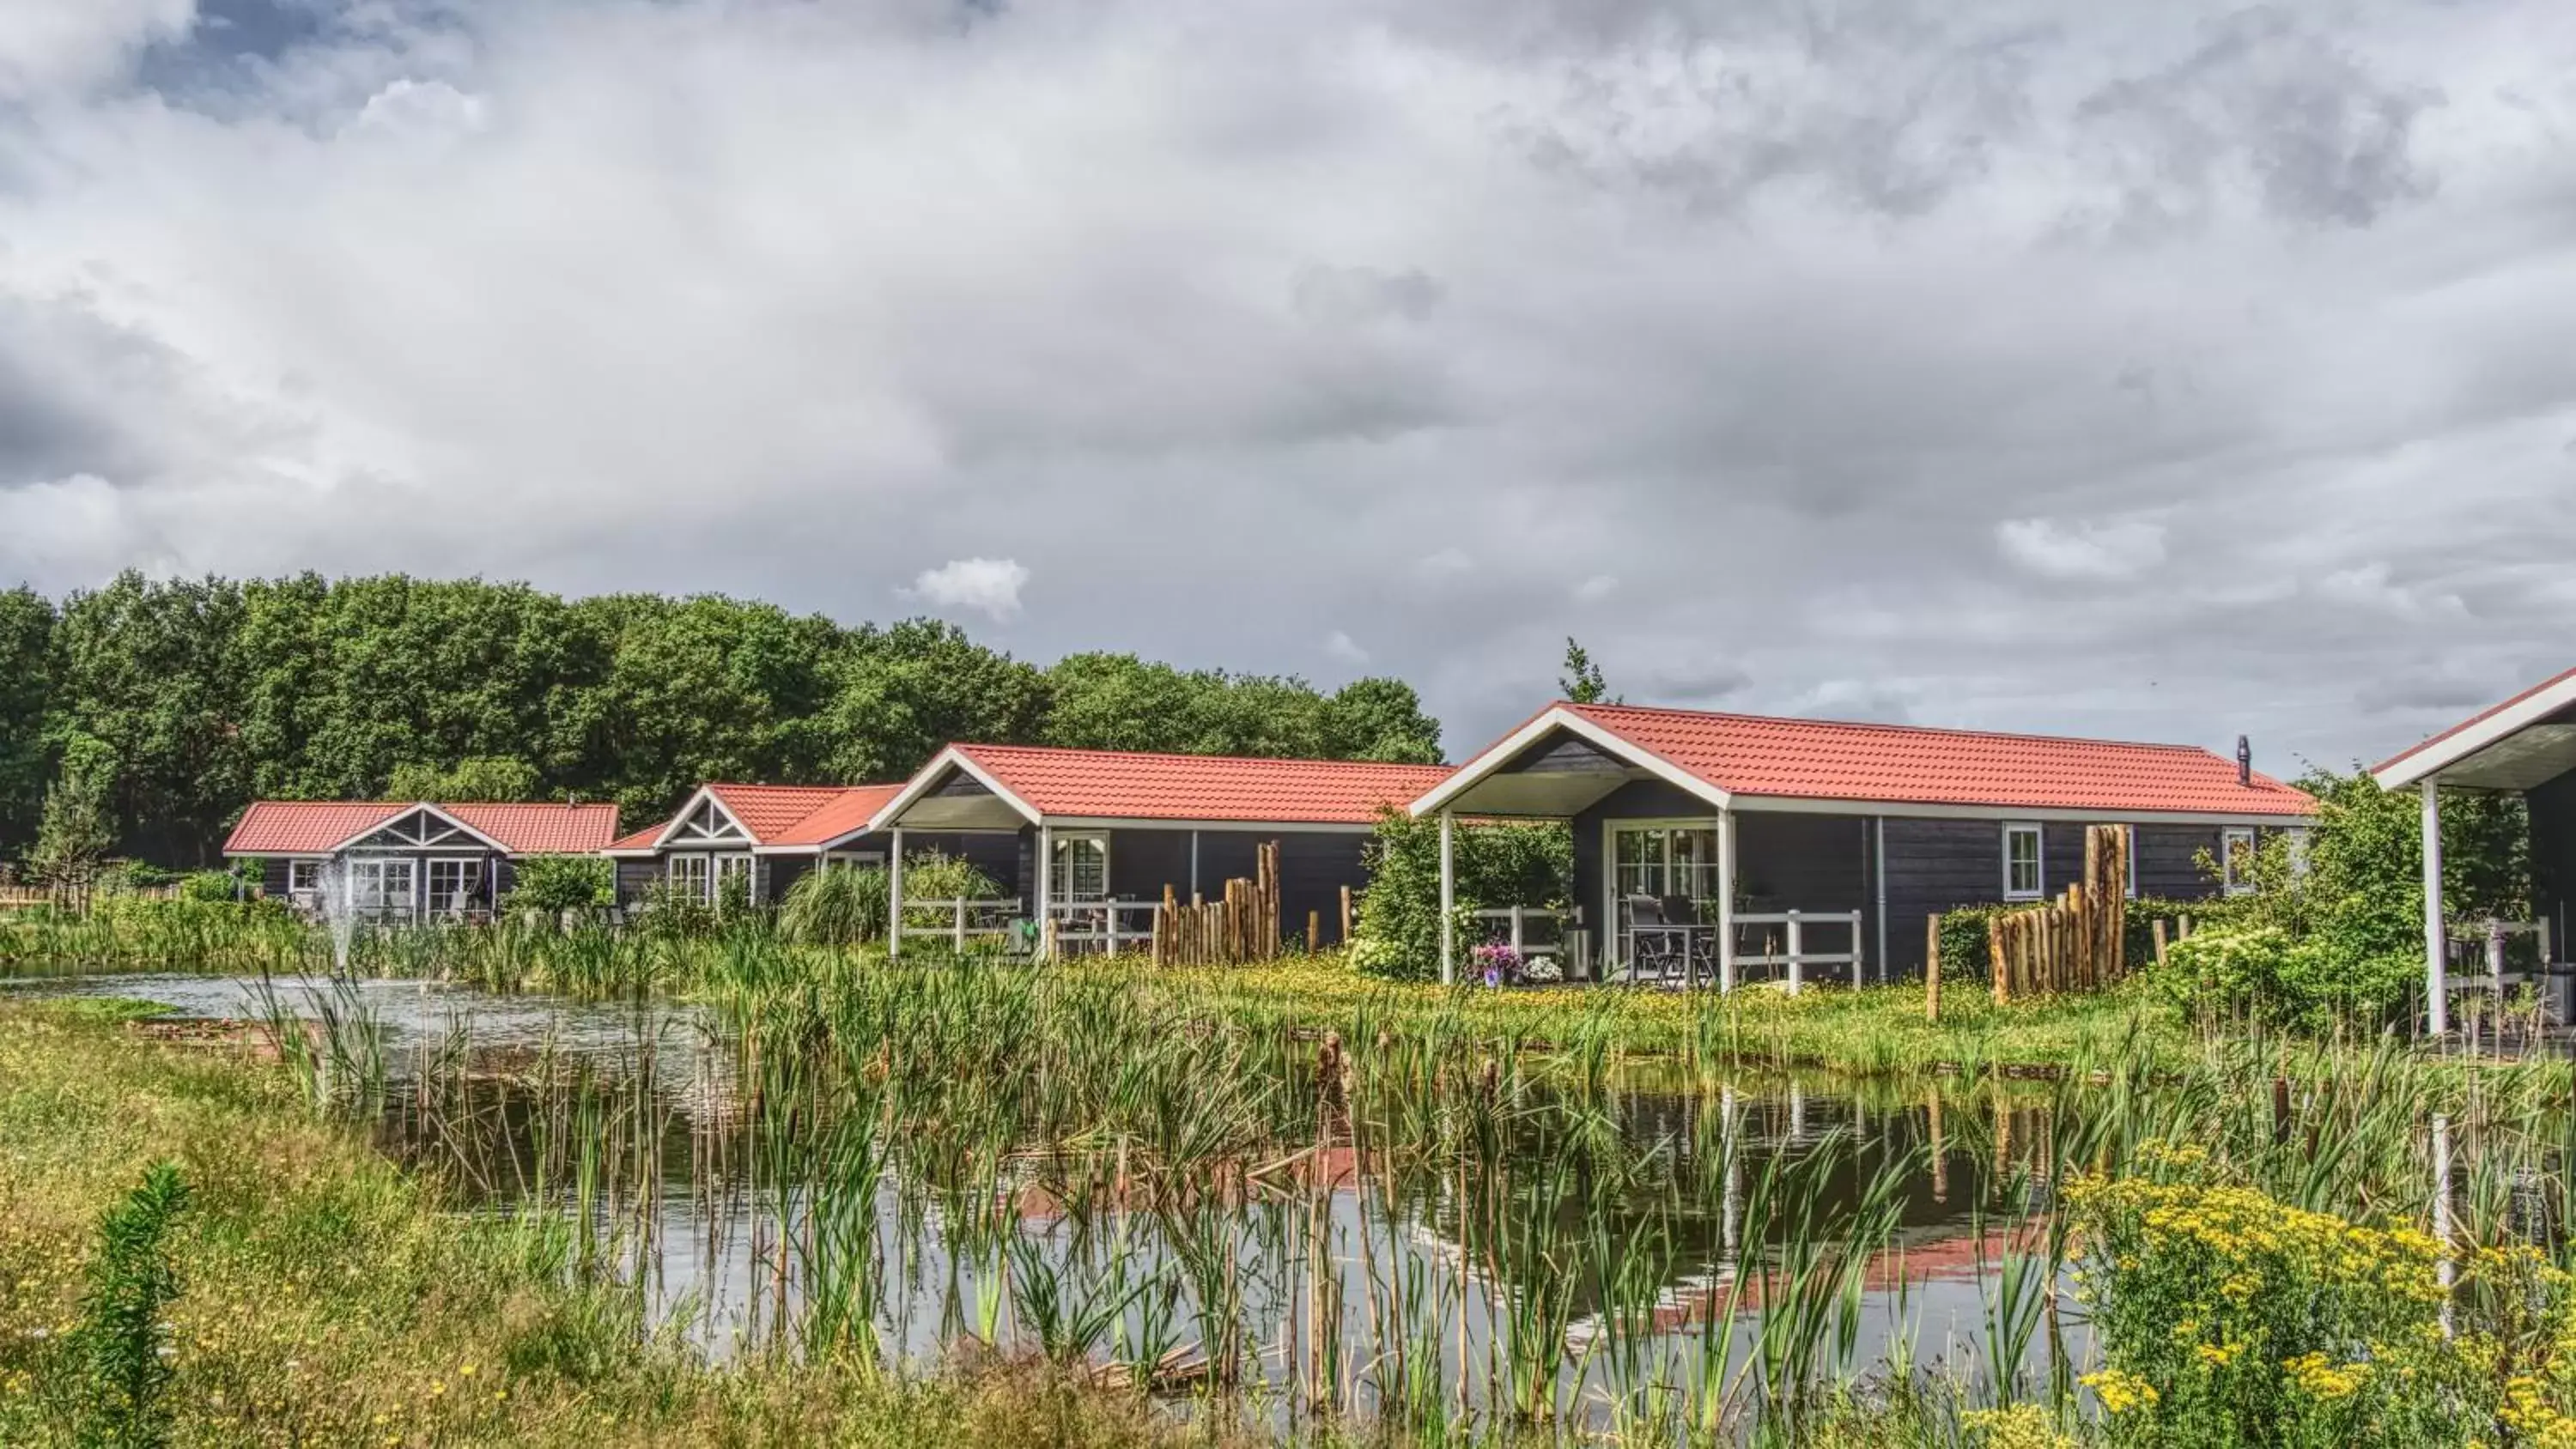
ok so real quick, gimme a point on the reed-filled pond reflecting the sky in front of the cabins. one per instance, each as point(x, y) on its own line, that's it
point(1276, 1221)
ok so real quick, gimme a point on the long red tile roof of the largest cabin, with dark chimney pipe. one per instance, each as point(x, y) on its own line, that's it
point(1830, 761)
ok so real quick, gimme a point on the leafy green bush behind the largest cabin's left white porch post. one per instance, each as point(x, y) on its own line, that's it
point(1498, 866)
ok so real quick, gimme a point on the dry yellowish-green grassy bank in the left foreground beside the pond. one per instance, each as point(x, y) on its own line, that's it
point(328, 1298)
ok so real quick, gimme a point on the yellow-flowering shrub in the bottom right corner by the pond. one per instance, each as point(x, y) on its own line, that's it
point(2235, 1319)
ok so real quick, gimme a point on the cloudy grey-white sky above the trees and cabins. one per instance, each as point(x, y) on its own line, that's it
point(2157, 369)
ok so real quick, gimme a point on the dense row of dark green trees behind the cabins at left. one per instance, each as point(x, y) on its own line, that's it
point(189, 699)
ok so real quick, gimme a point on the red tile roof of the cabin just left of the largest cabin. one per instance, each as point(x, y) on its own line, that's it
point(1109, 784)
